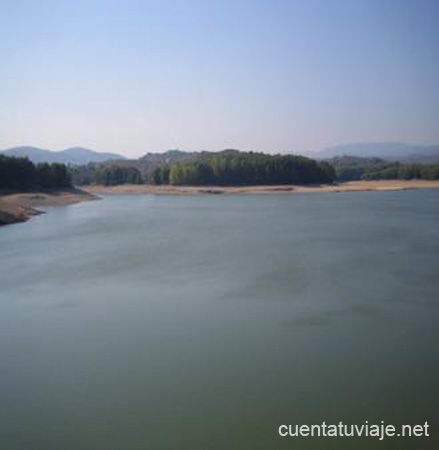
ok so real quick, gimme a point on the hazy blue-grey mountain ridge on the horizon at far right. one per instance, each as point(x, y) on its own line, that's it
point(390, 151)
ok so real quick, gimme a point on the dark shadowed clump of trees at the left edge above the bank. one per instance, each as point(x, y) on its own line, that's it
point(22, 174)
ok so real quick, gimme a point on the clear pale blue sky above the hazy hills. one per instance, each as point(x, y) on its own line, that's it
point(292, 75)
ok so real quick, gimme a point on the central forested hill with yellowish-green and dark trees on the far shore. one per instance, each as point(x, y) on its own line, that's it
point(229, 167)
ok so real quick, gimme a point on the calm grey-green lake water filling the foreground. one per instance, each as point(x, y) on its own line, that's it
point(206, 322)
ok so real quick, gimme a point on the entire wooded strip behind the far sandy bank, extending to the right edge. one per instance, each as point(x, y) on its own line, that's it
point(234, 168)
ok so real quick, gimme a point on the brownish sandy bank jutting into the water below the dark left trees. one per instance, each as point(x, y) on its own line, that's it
point(19, 207)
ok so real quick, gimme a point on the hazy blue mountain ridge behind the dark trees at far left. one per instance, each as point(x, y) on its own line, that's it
point(74, 155)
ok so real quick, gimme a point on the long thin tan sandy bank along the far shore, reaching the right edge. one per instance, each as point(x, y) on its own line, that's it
point(352, 186)
